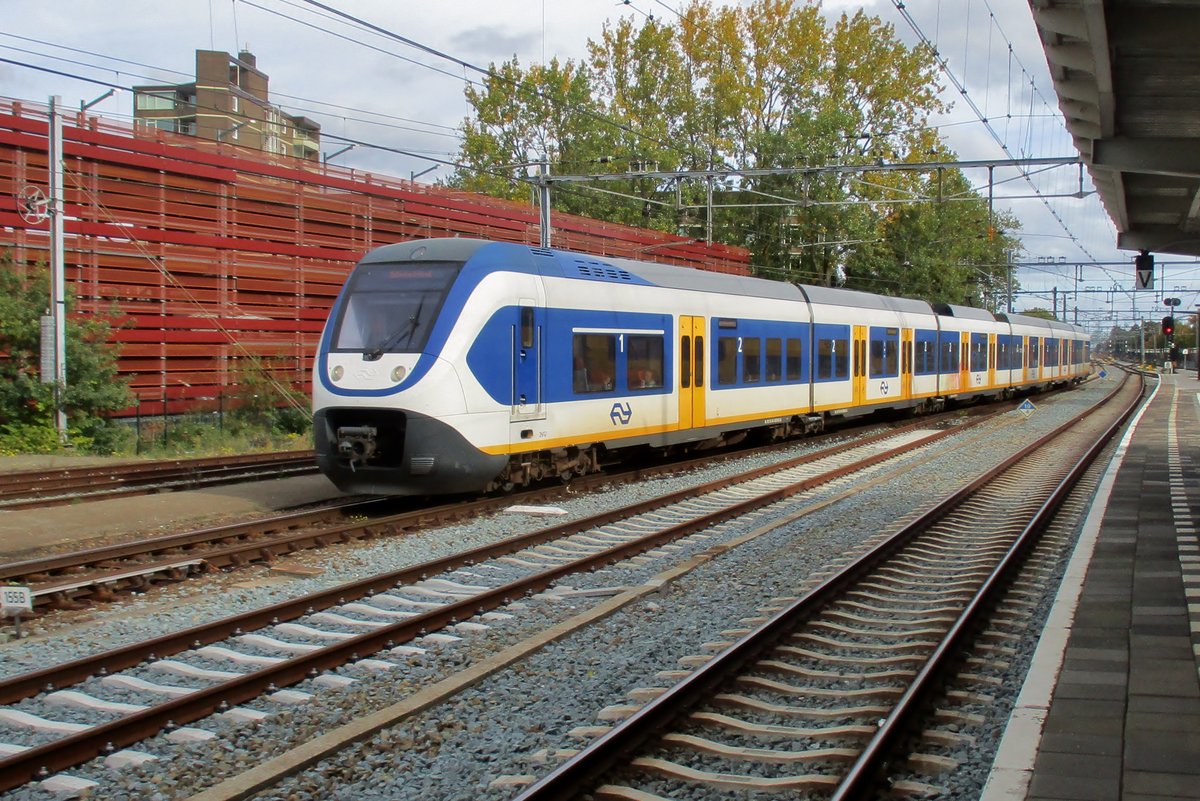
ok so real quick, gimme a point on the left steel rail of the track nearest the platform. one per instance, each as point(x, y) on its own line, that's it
point(579, 773)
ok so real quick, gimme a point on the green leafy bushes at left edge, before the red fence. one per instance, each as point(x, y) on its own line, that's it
point(93, 389)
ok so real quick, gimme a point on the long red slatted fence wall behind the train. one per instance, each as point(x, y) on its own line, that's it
point(215, 254)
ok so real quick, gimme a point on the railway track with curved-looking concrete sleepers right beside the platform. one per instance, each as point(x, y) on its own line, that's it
point(819, 698)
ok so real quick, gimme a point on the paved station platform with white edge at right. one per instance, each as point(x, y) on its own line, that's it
point(1112, 708)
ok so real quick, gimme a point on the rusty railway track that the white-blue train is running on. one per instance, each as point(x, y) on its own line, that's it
point(68, 580)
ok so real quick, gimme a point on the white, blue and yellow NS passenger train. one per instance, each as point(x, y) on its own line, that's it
point(453, 366)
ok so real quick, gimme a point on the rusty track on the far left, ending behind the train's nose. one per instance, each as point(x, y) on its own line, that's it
point(39, 489)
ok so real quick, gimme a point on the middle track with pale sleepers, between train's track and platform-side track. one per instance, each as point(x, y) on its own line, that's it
point(373, 623)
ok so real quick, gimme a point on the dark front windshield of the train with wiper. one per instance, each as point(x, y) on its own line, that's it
point(392, 308)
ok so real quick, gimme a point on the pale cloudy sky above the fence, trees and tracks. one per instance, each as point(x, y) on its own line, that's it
point(371, 88)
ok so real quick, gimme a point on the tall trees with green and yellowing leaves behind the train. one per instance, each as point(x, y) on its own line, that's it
point(769, 85)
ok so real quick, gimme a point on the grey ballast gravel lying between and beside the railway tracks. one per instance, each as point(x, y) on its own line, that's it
point(514, 722)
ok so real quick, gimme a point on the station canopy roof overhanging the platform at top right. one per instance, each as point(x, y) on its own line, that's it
point(1127, 74)
